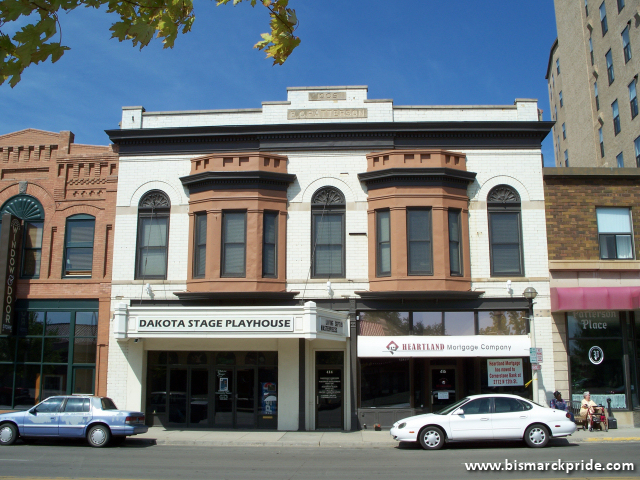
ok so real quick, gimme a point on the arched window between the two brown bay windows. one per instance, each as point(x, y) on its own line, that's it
point(327, 233)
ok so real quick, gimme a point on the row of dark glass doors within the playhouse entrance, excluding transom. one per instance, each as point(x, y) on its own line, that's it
point(222, 397)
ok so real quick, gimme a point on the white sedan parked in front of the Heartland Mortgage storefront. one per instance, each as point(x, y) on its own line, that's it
point(485, 417)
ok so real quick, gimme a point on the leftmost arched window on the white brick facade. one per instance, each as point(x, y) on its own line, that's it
point(153, 236)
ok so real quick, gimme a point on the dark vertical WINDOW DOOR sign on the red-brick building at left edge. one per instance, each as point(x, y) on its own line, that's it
point(9, 255)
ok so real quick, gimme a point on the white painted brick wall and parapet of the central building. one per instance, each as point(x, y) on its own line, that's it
point(521, 169)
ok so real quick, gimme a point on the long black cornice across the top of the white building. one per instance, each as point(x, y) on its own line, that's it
point(330, 136)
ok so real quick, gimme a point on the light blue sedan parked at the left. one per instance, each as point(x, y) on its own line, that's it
point(76, 416)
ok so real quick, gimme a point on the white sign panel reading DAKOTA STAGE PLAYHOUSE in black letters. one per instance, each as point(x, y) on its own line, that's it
point(216, 323)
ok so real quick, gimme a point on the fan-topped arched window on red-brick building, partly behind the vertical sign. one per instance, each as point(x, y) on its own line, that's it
point(30, 211)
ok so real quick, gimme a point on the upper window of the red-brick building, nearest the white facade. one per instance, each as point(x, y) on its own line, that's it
point(78, 245)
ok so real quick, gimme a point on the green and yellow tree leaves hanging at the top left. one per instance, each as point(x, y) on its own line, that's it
point(139, 22)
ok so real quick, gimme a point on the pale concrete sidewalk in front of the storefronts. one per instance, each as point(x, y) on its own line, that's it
point(359, 439)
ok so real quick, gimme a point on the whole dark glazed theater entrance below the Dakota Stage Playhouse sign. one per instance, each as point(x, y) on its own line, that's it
point(218, 390)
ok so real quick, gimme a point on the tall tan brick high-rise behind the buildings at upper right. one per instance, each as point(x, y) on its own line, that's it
point(593, 76)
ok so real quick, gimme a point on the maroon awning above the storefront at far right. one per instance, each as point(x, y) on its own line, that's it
point(595, 298)
